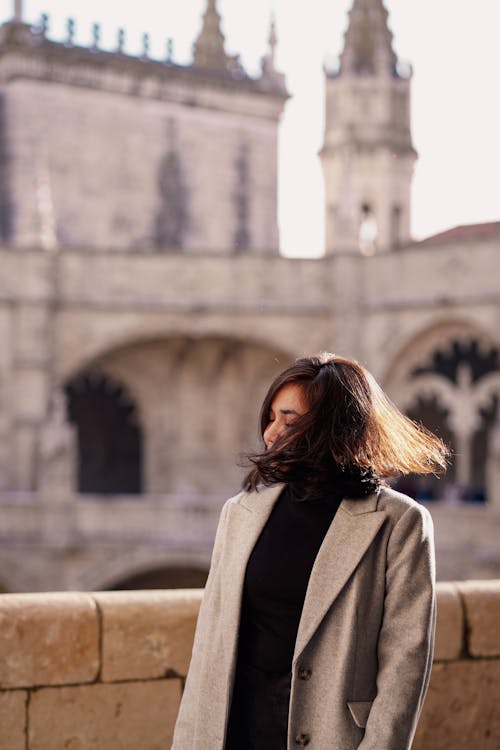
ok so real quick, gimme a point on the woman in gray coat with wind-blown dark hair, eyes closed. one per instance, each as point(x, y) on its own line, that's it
point(317, 622)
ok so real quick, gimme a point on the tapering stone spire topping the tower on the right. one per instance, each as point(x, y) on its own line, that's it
point(368, 40)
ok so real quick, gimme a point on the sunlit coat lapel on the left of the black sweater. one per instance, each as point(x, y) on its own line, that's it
point(245, 521)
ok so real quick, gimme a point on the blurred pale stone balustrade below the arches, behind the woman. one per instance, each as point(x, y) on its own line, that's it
point(172, 530)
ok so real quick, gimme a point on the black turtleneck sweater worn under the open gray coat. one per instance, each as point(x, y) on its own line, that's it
point(276, 579)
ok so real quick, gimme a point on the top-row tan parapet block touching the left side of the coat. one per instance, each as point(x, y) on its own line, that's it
point(147, 634)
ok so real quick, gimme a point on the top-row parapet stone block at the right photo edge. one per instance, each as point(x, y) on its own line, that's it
point(482, 611)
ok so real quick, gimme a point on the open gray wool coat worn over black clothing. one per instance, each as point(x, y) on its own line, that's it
point(364, 646)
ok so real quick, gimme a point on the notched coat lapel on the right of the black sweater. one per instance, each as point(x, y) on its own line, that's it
point(353, 529)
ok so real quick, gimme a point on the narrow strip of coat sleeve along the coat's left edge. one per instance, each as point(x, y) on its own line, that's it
point(186, 718)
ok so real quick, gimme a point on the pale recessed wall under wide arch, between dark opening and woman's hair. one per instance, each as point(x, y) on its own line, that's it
point(198, 398)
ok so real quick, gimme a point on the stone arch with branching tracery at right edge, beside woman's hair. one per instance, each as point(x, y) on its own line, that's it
point(448, 377)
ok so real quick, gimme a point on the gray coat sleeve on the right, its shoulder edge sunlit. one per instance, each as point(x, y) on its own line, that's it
point(406, 639)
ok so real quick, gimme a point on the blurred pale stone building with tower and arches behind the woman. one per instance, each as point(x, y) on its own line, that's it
point(144, 305)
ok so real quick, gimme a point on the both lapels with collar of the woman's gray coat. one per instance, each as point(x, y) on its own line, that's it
point(351, 532)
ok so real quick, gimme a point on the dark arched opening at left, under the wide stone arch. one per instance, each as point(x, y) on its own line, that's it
point(108, 433)
